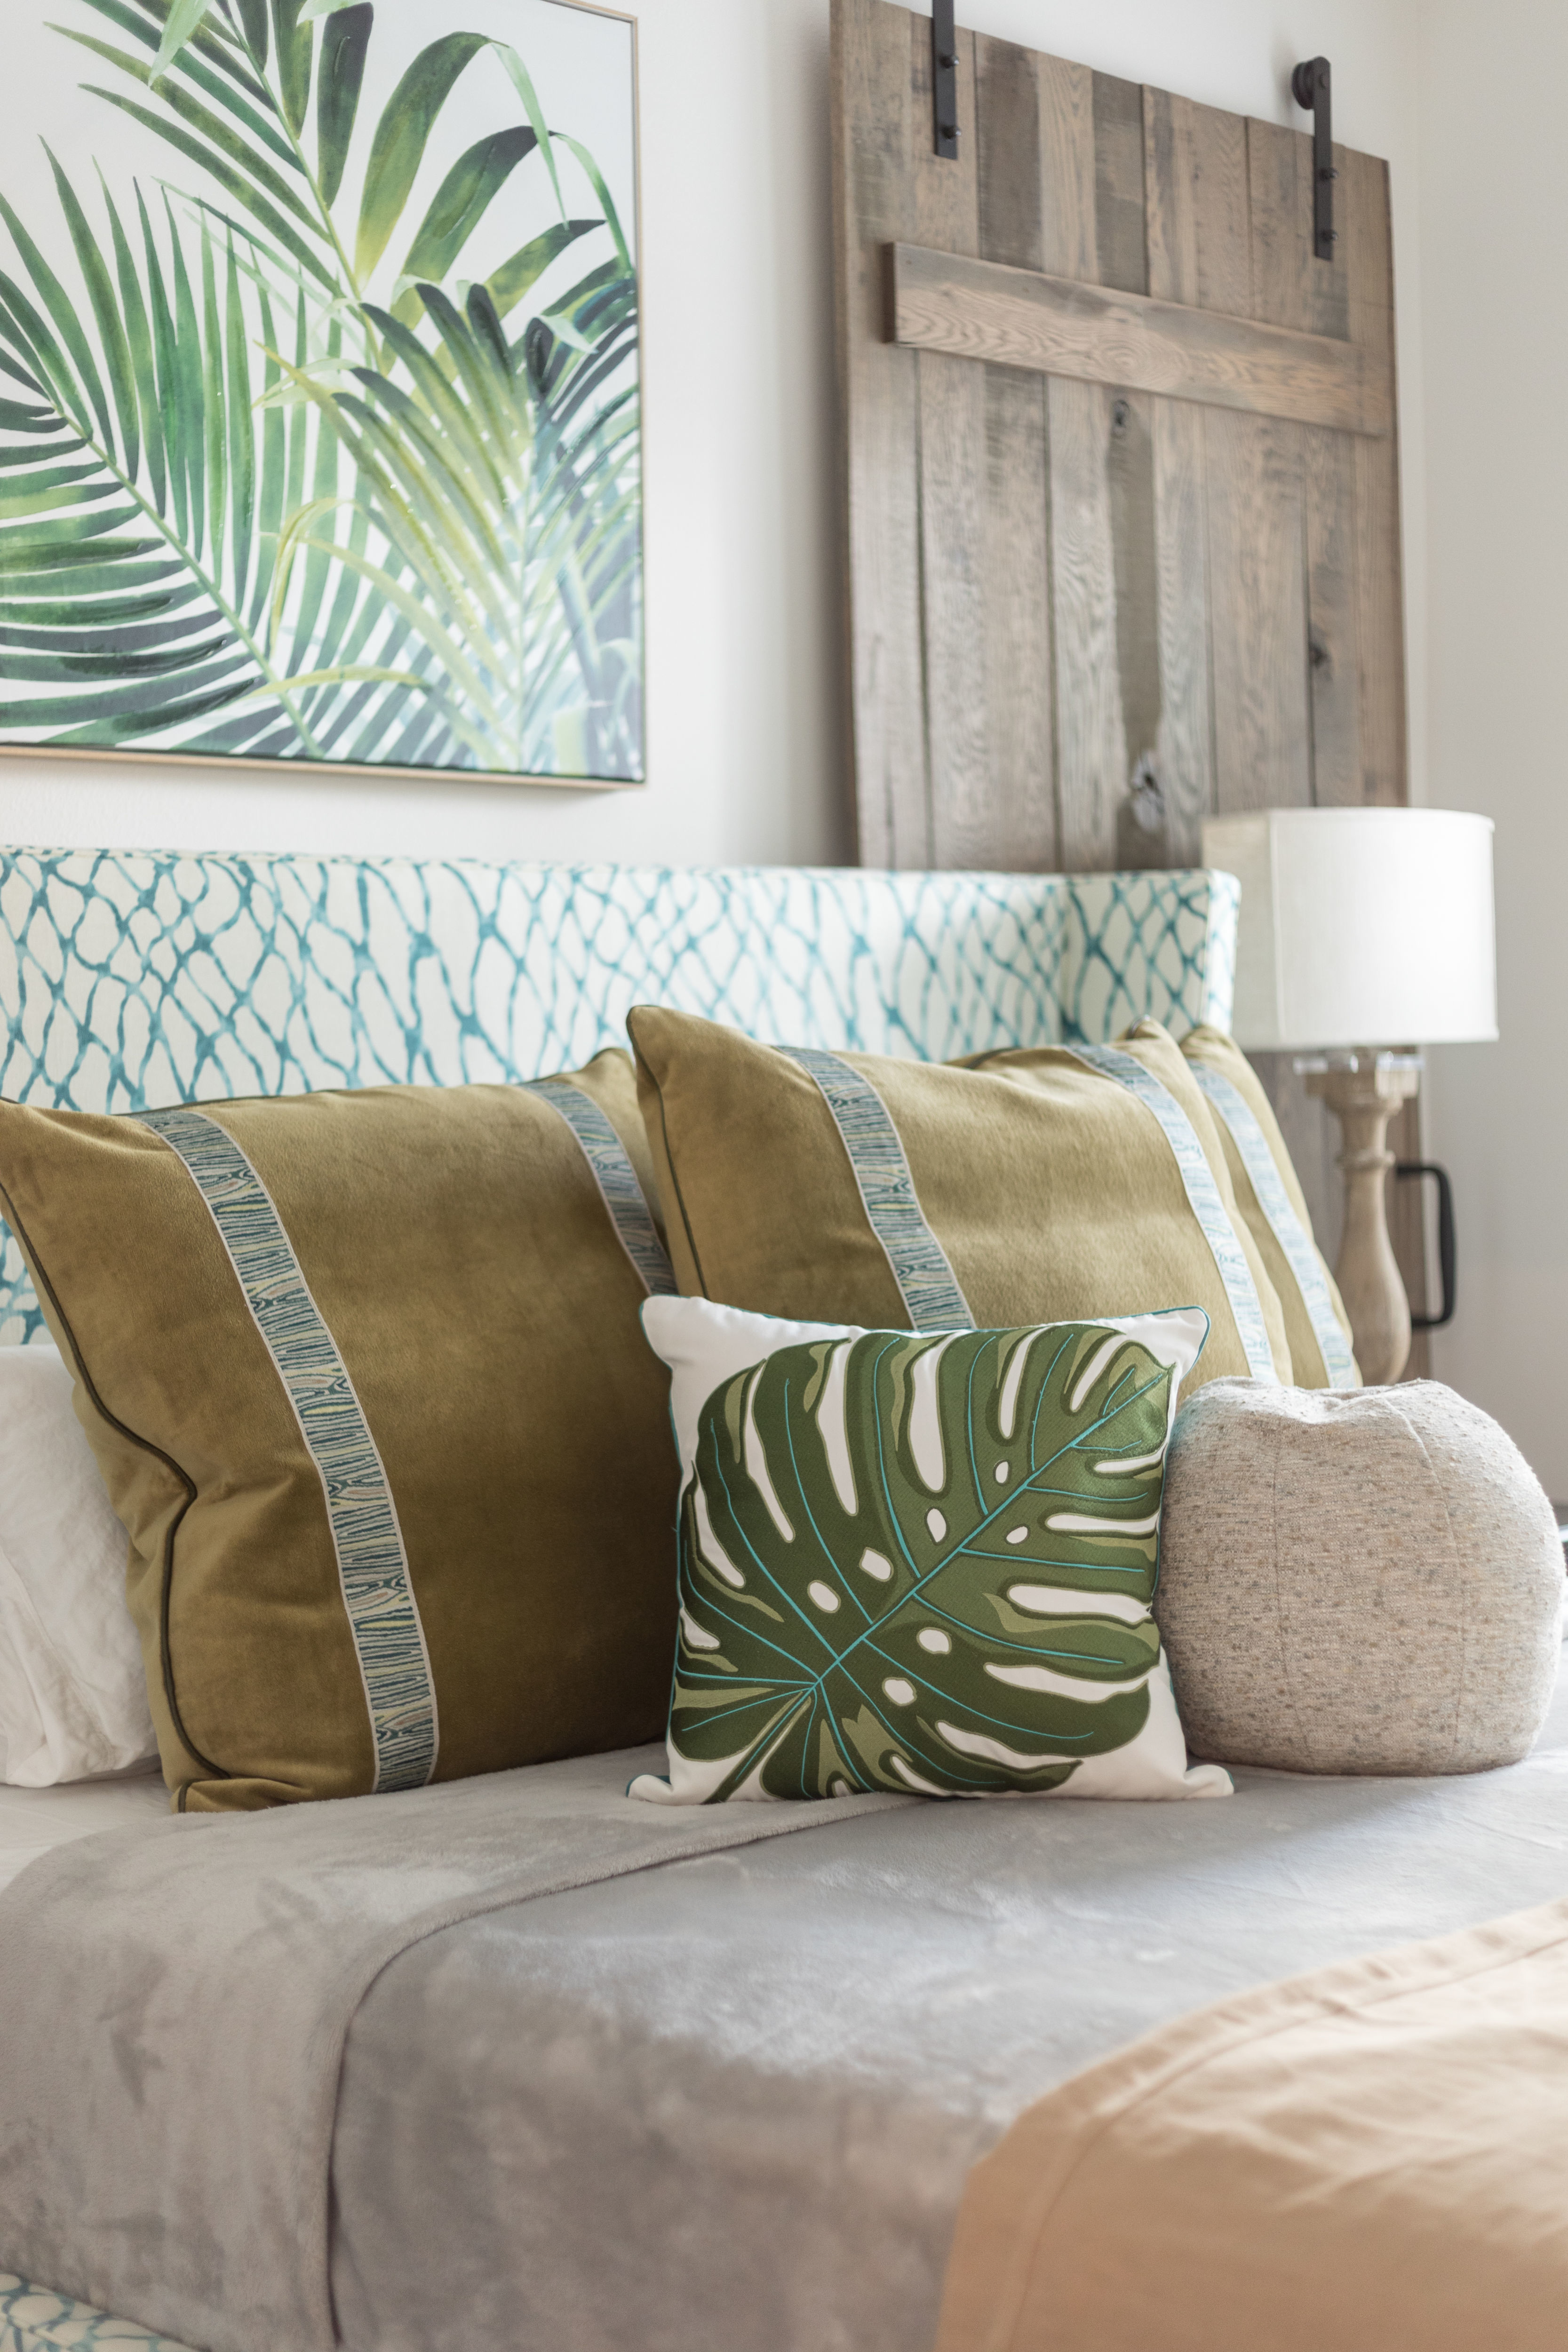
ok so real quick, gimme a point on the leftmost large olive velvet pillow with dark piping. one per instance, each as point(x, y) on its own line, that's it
point(366, 1382)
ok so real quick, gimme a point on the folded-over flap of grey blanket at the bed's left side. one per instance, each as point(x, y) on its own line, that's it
point(210, 1967)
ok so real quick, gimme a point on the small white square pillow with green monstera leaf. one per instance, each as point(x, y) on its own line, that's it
point(920, 1563)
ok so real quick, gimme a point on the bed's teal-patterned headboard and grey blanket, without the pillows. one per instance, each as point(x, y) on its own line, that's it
point(521, 2062)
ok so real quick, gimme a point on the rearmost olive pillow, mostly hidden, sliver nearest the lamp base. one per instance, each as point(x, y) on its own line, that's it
point(1275, 1210)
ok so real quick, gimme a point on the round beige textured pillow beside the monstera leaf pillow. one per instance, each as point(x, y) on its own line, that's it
point(1358, 1582)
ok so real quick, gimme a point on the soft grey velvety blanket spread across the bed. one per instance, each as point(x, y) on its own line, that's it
point(730, 2102)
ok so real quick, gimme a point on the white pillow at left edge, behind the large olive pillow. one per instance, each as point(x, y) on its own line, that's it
point(72, 1685)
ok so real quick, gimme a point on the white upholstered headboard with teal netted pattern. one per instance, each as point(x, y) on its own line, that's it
point(138, 980)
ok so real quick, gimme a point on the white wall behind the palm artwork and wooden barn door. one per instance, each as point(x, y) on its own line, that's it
point(744, 596)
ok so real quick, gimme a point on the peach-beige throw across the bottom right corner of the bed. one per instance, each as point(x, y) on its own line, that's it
point(1367, 2158)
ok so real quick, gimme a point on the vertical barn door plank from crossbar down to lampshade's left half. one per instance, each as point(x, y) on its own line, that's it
point(1259, 601)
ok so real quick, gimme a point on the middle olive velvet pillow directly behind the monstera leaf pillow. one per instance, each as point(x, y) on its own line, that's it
point(1038, 1187)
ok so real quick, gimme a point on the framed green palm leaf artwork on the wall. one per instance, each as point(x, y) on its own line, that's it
point(321, 399)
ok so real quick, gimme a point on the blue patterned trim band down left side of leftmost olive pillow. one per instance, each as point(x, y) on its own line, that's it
point(366, 1535)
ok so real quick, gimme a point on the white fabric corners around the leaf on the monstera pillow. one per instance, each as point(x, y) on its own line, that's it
point(706, 1344)
